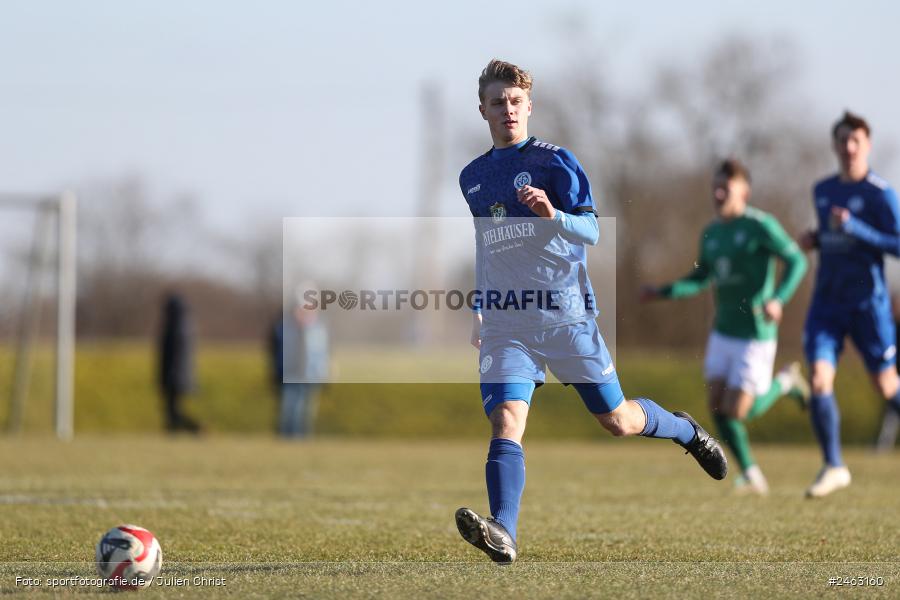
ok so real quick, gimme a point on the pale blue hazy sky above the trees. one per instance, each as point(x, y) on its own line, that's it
point(267, 109)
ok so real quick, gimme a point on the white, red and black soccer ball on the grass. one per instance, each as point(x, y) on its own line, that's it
point(128, 557)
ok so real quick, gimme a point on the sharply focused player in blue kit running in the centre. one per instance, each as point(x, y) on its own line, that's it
point(534, 213)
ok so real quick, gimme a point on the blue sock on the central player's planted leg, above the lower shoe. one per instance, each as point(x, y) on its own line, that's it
point(505, 476)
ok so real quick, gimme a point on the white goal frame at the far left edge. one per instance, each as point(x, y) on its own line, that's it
point(62, 209)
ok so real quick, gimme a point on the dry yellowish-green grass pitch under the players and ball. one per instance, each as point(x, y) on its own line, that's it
point(373, 519)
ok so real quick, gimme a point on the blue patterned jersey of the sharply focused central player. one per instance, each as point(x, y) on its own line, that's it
point(531, 272)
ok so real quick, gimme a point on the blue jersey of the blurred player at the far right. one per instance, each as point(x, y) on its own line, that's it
point(851, 259)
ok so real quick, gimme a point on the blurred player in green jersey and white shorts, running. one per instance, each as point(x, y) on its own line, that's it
point(737, 252)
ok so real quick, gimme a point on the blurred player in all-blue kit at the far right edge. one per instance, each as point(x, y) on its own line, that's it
point(858, 222)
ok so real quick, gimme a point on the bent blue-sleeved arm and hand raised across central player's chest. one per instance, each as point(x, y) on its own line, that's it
point(577, 221)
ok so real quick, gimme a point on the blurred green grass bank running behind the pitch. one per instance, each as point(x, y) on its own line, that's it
point(115, 391)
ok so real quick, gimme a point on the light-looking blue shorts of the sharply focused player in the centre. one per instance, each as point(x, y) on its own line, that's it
point(513, 365)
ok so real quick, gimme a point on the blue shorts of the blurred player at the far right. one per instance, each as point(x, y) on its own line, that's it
point(870, 327)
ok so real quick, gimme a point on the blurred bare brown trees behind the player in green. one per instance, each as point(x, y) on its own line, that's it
point(651, 159)
